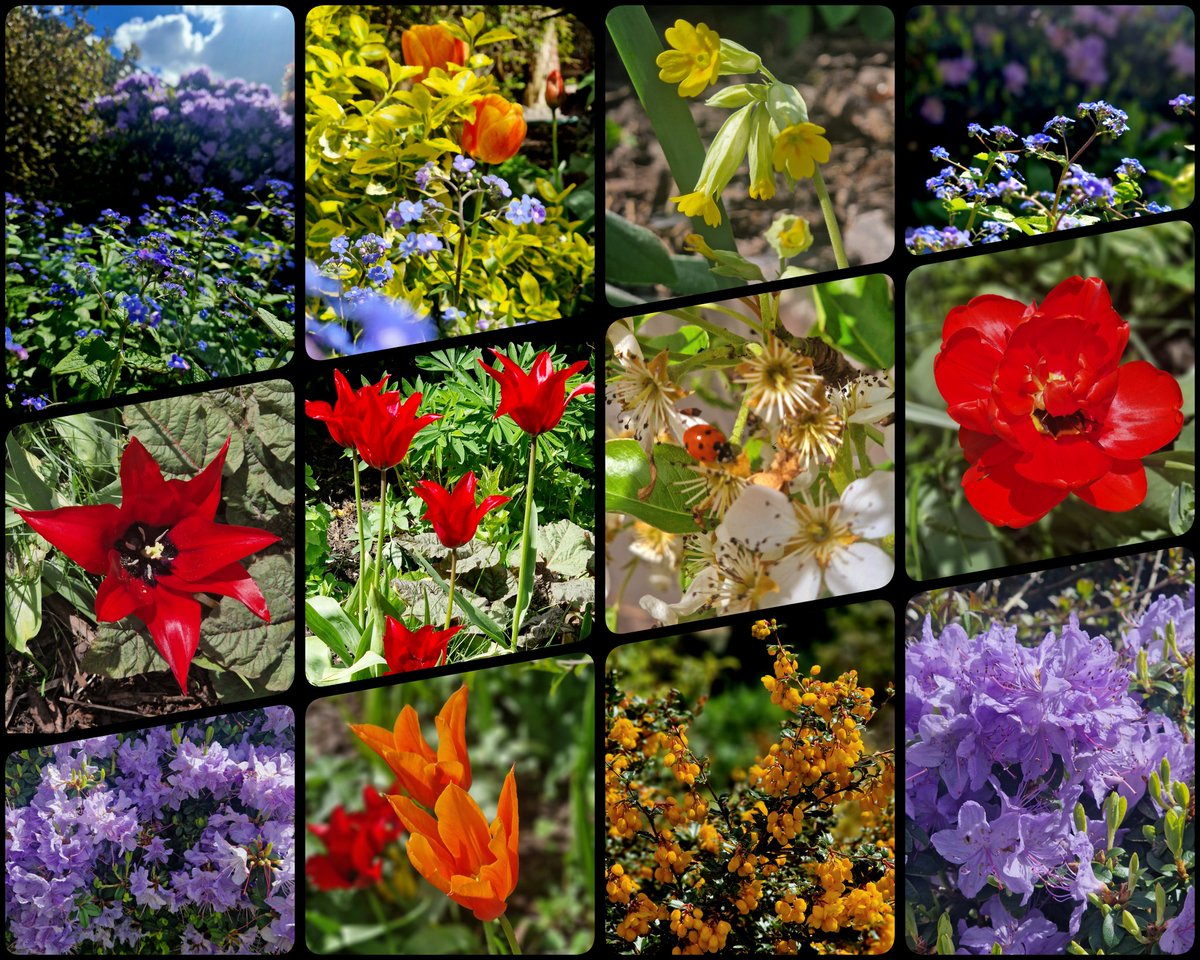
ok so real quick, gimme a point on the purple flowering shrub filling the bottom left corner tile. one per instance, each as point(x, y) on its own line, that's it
point(170, 841)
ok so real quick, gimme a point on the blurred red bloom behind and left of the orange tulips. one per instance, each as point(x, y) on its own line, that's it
point(353, 844)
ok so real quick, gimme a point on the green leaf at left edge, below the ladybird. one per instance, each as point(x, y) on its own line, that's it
point(628, 472)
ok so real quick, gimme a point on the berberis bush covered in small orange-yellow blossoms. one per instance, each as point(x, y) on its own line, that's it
point(799, 857)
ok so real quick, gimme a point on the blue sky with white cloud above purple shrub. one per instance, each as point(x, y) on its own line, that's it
point(253, 43)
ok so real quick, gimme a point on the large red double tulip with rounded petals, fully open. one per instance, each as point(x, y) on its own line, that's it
point(1046, 406)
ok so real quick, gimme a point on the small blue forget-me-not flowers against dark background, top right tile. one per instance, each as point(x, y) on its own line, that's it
point(988, 199)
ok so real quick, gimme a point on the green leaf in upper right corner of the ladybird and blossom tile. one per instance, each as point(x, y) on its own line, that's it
point(856, 317)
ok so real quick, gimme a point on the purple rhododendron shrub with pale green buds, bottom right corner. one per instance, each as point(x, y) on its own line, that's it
point(1049, 785)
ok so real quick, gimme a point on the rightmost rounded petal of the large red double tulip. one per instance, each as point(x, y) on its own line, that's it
point(1145, 413)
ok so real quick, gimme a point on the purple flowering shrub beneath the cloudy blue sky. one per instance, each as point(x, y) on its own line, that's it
point(202, 133)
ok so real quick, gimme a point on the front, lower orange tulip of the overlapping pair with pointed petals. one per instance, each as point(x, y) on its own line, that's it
point(458, 853)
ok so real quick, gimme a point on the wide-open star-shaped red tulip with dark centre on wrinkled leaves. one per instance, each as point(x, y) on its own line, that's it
point(159, 549)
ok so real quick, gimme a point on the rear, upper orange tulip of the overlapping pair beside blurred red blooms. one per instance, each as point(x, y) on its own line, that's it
point(422, 772)
